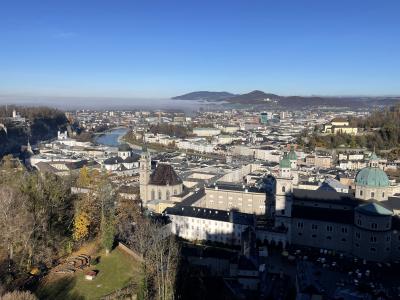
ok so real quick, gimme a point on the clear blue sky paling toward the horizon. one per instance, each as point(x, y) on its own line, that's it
point(160, 49)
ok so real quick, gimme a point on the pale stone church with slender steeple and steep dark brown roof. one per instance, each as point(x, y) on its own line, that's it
point(161, 184)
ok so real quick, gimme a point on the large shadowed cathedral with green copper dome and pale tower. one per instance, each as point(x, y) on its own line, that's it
point(362, 222)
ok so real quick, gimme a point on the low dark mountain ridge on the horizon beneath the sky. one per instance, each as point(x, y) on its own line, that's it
point(257, 97)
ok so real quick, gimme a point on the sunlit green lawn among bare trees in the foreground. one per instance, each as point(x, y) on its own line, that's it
point(116, 271)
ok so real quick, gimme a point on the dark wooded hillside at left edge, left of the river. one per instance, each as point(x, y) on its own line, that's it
point(41, 123)
